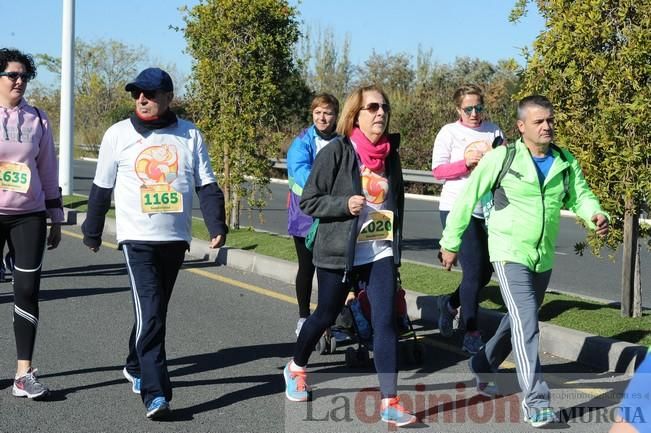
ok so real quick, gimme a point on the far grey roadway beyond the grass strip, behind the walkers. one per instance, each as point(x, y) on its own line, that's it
point(587, 275)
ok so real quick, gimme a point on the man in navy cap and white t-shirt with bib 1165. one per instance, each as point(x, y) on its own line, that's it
point(153, 162)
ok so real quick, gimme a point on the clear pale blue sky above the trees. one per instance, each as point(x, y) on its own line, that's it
point(451, 28)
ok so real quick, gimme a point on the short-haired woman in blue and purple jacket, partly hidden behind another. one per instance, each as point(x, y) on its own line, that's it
point(300, 157)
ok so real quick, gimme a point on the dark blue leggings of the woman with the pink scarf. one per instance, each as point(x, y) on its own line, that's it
point(379, 280)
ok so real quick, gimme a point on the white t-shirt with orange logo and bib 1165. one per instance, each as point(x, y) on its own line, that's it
point(154, 179)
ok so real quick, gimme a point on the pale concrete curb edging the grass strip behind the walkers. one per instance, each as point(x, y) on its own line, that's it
point(601, 353)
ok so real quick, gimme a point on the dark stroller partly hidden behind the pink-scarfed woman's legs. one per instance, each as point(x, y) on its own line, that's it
point(355, 321)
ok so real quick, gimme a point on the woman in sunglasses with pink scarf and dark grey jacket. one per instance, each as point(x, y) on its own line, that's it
point(356, 190)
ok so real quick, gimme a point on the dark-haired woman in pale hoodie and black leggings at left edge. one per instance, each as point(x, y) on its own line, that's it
point(29, 194)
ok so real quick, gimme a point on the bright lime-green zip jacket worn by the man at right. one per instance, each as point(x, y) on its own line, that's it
point(524, 223)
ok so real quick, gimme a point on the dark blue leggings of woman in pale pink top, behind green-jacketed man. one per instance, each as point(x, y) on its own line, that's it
point(476, 267)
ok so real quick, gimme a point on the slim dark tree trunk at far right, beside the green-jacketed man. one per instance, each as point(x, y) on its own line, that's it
point(631, 232)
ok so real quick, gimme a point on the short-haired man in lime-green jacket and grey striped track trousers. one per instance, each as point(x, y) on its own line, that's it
point(522, 231)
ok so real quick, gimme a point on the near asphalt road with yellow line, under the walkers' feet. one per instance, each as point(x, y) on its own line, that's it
point(229, 335)
